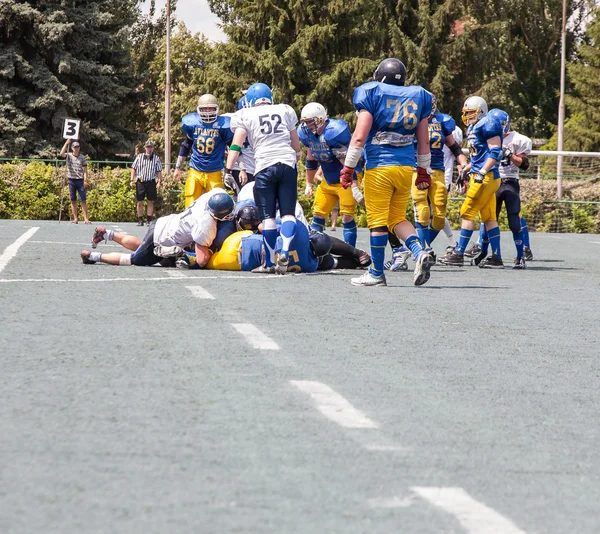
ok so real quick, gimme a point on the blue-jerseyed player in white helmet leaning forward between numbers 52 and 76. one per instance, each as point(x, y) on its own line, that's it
point(327, 141)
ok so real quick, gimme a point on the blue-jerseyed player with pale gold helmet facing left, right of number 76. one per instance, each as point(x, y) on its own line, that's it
point(484, 136)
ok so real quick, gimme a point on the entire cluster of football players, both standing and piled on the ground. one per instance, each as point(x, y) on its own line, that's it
point(402, 147)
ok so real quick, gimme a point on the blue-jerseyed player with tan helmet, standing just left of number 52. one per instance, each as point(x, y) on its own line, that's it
point(206, 135)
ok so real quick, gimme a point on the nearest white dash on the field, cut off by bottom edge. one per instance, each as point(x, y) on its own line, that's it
point(475, 517)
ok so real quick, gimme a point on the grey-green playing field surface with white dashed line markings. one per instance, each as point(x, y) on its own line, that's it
point(132, 405)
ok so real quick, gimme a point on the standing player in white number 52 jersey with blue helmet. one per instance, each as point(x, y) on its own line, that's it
point(271, 131)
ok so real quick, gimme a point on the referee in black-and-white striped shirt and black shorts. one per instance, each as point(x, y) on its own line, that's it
point(146, 173)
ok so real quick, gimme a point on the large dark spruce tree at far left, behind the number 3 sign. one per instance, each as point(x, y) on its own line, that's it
point(61, 59)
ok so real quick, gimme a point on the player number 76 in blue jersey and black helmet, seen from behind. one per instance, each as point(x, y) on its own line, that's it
point(390, 117)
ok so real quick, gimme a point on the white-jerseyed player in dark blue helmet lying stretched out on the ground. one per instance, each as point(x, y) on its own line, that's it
point(169, 235)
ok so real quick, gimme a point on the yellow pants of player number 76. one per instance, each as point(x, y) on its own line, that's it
point(387, 192)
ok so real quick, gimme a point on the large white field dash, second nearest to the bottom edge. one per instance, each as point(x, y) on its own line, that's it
point(333, 406)
